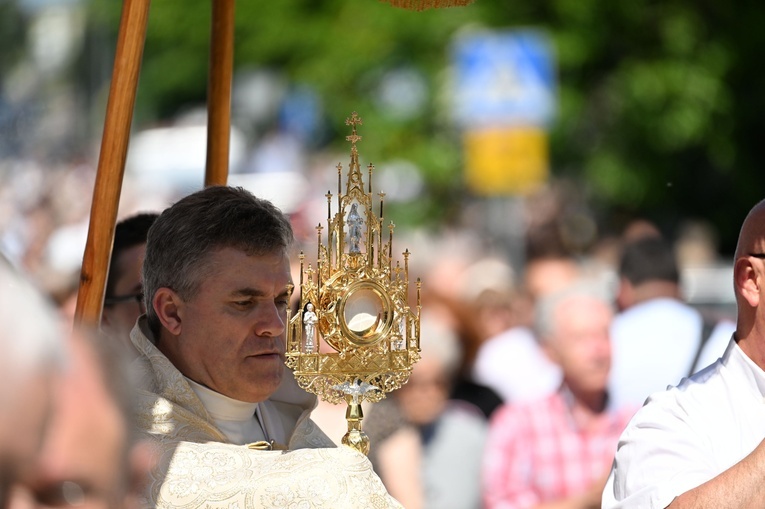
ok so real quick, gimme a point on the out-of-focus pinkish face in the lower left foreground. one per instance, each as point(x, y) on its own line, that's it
point(82, 461)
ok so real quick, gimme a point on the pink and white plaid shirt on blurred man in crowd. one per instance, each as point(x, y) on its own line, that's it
point(537, 454)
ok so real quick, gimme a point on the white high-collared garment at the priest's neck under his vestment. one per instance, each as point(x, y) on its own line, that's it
point(238, 420)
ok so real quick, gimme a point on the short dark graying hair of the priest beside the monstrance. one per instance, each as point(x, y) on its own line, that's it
point(182, 238)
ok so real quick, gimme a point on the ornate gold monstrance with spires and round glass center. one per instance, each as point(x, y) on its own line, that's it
point(355, 302)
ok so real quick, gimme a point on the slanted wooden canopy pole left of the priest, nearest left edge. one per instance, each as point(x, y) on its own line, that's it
point(111, 163)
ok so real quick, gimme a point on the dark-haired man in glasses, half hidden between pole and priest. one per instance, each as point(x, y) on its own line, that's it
point(123, 303)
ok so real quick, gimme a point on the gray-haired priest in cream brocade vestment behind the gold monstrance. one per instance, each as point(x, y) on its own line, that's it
point(229, 424)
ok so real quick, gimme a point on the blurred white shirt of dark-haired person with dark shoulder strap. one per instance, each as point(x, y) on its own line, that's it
point(653, 346)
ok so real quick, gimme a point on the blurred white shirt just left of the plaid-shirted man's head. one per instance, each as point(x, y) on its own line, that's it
point(514, 365)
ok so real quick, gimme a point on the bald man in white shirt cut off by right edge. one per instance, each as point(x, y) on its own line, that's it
point(700, 444)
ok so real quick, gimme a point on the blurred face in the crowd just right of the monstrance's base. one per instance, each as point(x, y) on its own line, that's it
point(424, 396)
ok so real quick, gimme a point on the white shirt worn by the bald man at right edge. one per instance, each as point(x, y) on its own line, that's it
point(688, 435)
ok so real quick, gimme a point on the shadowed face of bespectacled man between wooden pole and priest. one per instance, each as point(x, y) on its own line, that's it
point(119, 317)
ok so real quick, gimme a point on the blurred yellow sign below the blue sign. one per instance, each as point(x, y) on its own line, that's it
point(505, 161)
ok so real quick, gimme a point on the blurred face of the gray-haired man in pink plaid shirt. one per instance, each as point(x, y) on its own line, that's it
point(581, 343)
